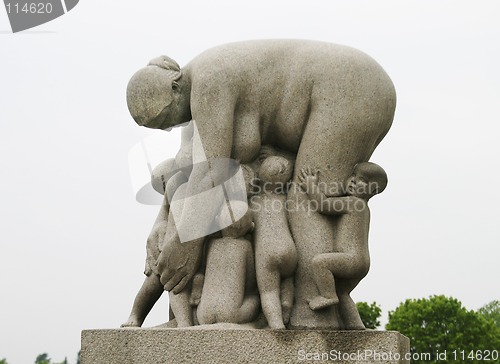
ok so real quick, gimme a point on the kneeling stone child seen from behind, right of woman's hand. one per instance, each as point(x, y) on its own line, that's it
point(229, 292)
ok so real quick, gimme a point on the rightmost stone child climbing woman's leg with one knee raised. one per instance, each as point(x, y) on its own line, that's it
point(336, 274)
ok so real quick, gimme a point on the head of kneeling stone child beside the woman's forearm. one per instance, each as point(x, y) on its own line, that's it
point(243, 216)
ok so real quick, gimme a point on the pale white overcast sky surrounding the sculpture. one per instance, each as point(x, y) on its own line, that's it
point(72, 237)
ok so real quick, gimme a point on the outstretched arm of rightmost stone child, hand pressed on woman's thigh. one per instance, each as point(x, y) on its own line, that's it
point(326, 205)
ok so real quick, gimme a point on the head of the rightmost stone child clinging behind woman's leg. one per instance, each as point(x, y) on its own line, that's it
point(367, 180)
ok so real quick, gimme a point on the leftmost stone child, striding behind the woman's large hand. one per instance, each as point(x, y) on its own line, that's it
point(168, 178)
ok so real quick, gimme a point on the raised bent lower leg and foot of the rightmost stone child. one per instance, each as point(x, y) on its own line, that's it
point(323, 266)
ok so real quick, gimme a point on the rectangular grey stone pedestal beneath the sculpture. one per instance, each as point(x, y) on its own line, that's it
point(156, 346)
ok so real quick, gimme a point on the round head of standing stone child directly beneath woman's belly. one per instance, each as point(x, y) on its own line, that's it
point(275, 172)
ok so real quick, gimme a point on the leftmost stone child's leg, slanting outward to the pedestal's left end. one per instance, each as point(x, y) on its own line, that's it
point(150, 292)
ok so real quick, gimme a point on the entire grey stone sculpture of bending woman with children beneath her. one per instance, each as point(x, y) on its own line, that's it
point(328, 106)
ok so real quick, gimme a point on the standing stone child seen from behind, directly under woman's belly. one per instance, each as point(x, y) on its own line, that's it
point(275, 253)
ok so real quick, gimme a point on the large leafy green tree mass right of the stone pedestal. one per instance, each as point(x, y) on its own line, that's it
point(440, 323)
